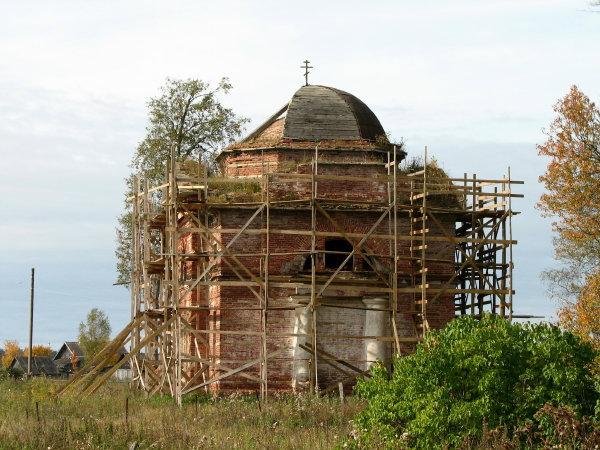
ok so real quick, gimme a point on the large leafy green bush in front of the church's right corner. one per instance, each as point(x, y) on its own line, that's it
point(474, 375)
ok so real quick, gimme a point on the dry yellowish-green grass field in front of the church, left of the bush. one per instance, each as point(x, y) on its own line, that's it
point(100, 421)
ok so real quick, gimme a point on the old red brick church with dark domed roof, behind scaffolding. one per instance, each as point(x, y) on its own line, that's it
point(337, 222)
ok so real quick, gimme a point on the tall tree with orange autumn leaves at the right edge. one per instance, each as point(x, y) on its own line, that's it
point(572, 182)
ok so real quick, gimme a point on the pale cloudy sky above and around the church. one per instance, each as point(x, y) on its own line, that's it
point(473, 80)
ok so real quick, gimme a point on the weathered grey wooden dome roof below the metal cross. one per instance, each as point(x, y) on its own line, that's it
point(317, 113)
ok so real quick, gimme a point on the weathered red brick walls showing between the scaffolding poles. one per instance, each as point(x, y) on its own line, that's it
point(237, 314)
